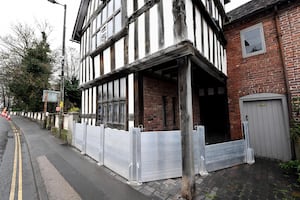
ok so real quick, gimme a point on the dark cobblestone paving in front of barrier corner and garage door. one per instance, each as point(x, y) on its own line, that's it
point(262, 180)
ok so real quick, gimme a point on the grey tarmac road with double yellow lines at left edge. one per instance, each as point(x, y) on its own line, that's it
point(17, 180)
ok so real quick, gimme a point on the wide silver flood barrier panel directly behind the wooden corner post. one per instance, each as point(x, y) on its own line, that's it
point(161, 155)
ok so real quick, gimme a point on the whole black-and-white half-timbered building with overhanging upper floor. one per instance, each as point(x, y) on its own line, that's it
point(140, 59)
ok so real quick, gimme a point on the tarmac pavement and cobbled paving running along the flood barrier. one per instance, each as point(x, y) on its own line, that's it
point(262, 180)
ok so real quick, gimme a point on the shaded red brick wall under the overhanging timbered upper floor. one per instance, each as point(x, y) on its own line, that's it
point(154, 90)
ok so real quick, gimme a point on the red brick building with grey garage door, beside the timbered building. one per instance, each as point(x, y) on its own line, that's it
point(263, 57)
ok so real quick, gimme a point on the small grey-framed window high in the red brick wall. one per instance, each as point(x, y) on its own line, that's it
point(253, 40)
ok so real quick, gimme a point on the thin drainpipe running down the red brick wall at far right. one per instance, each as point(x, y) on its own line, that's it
point(288, 91)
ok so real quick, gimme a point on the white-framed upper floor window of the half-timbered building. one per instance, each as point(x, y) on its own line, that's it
point(107, 23)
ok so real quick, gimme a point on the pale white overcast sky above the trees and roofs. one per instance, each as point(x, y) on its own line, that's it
point(30, 11)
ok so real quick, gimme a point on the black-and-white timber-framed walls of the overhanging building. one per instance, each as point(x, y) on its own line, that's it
point(136, 35)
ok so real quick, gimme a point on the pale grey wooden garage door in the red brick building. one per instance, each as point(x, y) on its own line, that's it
point(269, 136)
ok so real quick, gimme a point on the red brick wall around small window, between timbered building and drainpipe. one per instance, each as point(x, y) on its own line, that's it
point(256, 74)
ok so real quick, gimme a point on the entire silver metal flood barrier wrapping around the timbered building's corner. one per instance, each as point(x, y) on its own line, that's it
point(149, 156)
